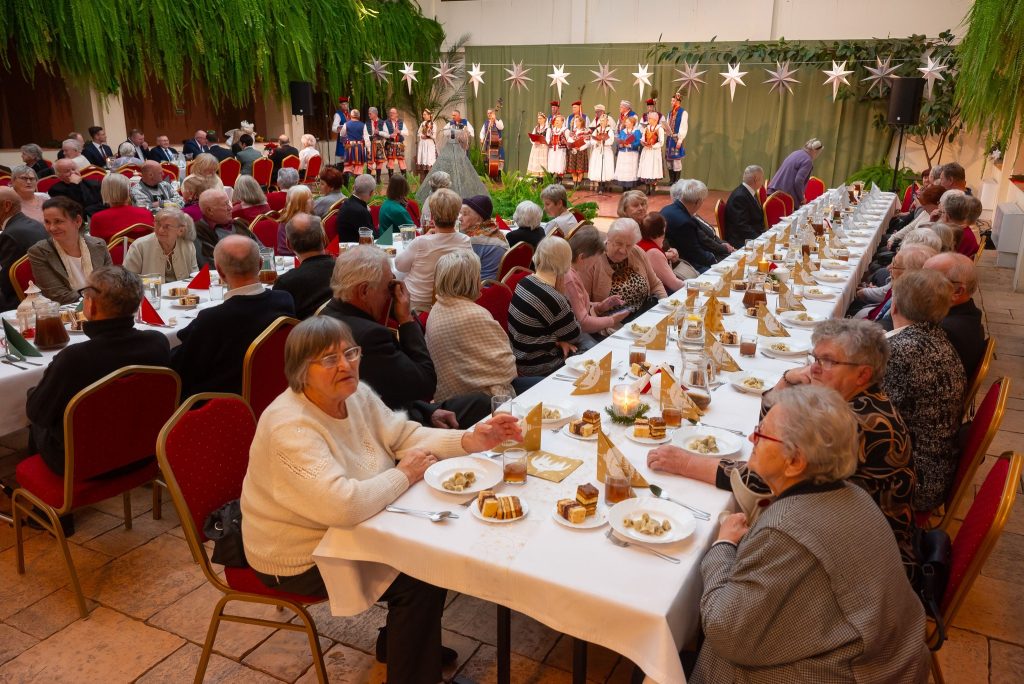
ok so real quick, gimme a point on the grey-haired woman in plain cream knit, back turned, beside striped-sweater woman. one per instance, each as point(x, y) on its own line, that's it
point(471, 351)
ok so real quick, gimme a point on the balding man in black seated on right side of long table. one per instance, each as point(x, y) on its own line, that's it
point(963, 324)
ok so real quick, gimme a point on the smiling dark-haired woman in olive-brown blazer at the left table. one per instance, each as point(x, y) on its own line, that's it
point(62, 264)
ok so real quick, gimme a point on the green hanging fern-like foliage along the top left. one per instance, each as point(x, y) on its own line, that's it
point(239, 49)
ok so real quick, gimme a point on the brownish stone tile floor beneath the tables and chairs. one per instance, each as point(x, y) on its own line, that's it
point(152, 606)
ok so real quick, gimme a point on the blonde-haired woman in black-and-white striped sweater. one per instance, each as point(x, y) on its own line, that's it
point(542, 325)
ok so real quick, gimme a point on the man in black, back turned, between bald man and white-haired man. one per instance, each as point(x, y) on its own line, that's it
point(310, 283)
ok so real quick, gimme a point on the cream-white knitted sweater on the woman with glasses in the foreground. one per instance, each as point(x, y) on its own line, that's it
point(309, 472)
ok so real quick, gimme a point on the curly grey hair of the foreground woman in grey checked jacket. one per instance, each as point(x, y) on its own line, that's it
point(818, 422)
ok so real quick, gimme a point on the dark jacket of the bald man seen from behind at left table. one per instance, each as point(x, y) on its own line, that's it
point(215, 346)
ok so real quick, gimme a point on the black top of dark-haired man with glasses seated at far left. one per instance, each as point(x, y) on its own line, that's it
point(113, 345)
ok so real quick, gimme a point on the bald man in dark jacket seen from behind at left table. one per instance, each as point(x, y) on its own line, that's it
point(214, 347)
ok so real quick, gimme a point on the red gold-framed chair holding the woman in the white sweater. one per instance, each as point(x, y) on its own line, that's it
point(204, 454)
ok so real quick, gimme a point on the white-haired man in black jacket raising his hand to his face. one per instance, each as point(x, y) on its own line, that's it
point(400, 370)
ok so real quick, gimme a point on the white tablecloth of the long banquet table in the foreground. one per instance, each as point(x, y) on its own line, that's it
point(576, 581)
